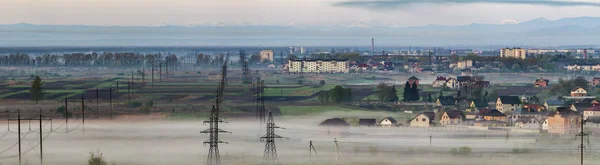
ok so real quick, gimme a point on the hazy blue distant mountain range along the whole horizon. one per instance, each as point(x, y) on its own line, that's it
point(536, 32)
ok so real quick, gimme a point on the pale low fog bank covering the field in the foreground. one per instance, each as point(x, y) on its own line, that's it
point(159, 142)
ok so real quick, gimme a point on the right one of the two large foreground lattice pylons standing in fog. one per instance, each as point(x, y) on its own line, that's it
point(269, 138)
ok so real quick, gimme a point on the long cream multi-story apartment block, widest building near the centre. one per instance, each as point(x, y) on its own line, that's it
point(317, 66)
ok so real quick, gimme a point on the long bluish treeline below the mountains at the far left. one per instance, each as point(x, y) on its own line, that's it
point(108, 59)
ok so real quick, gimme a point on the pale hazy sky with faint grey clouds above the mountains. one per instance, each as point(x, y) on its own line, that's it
point(289, 12)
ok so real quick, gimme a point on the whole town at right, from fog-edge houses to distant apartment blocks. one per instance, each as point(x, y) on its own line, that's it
point(560, 115)
